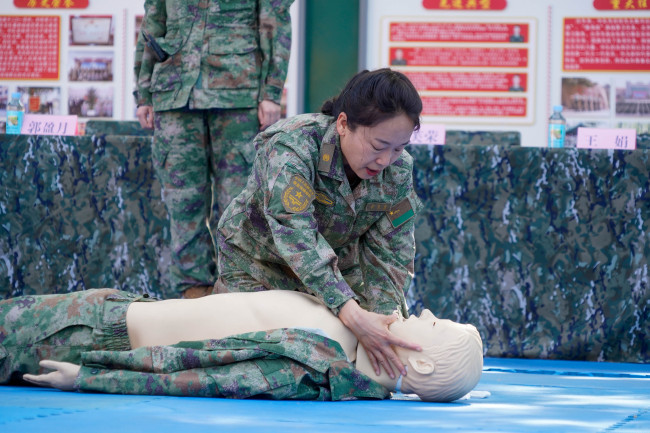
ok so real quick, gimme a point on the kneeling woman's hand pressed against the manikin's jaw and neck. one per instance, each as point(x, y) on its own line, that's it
point(371, 329)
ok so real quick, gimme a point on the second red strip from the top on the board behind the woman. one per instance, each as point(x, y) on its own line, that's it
point(459, 57)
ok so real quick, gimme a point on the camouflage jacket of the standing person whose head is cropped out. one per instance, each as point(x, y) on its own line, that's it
point(222, 53)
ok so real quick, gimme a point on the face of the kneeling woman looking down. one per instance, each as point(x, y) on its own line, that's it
point(370, 149)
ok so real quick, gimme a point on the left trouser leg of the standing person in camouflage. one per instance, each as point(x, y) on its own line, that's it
point(180, 157)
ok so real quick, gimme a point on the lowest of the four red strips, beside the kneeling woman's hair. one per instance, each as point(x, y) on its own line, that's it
point(473, 106)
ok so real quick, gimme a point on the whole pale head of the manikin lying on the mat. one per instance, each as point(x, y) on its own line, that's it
point(450, 363)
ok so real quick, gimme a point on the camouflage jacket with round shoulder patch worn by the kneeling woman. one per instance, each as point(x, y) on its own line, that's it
point(299, 226)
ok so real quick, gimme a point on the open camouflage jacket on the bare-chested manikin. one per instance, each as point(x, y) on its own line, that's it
point(288, 364)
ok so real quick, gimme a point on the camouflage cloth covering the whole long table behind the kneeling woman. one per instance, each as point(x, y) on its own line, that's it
point(545, 250)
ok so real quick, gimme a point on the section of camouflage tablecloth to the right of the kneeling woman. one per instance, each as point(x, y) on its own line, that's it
point(546, 251)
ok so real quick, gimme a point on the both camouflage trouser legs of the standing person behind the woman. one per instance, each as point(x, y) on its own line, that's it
point(202, 159)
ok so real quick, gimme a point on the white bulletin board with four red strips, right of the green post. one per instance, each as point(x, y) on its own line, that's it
point(503, 64)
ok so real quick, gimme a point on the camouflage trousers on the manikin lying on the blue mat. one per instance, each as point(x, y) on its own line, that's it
point(60, 327)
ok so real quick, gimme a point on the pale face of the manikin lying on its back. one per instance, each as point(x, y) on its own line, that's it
point(427, 330)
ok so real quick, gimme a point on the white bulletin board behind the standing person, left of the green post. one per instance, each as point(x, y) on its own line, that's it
point(75, 57)
